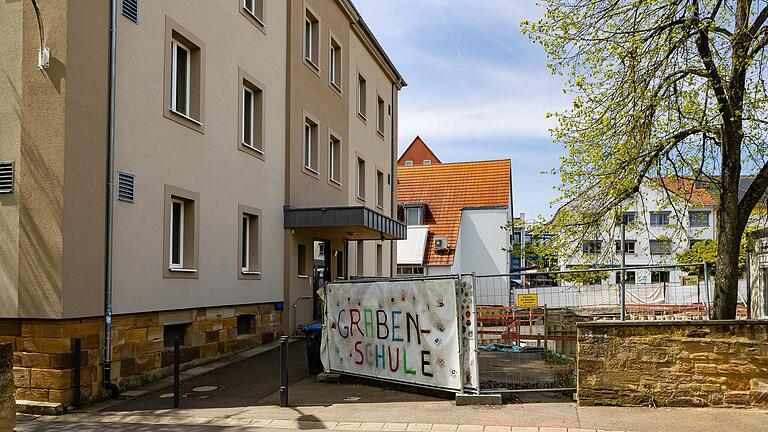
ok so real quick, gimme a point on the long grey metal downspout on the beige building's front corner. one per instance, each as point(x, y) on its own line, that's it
point(106, 365)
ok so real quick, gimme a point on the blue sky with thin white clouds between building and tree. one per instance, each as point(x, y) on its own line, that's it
point(477, 88)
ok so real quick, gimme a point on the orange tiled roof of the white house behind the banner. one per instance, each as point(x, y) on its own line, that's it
point(446, 189)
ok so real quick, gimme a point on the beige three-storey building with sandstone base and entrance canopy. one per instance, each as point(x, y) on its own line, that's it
point(195, 182)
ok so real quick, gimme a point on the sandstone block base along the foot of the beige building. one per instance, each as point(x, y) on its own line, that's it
point(43, 350)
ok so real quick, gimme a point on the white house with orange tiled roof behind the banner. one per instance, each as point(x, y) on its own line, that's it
point(454, 213)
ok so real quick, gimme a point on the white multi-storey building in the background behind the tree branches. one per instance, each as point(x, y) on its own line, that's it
point(661, 222)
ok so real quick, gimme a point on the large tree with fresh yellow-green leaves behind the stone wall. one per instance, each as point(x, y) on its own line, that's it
point(661, 89)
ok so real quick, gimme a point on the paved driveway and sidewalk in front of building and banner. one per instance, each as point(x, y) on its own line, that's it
point(244, 396)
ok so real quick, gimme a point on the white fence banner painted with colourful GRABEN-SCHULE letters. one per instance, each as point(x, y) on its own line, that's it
point(404, 331)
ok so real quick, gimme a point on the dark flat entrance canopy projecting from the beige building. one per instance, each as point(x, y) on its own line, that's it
point(353, 223)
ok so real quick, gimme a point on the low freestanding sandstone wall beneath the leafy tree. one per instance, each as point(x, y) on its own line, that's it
point(673, 363)
